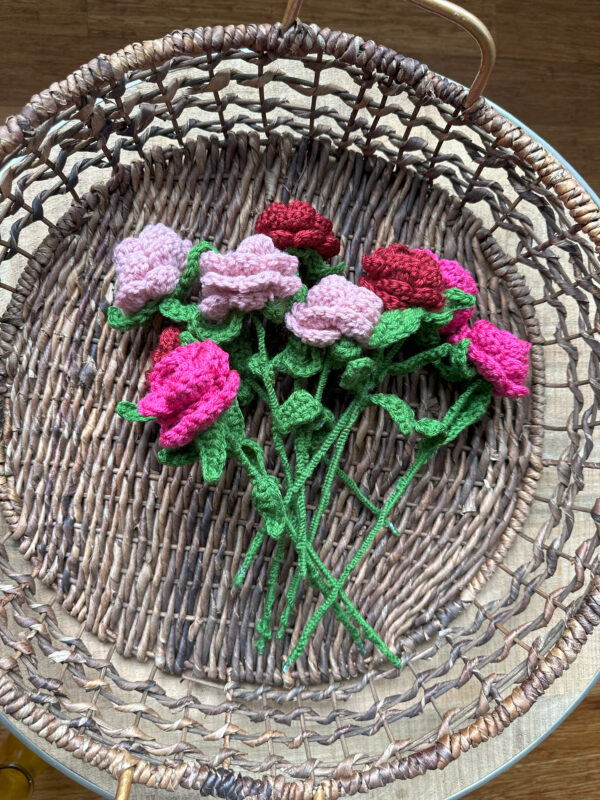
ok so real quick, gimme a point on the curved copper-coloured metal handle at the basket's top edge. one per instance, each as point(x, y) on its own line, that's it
point(450, 11)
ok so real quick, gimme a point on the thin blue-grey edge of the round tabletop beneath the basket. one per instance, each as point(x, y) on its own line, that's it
point(77, 778)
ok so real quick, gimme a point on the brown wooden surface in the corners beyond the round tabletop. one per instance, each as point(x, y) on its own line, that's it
point(546, 75)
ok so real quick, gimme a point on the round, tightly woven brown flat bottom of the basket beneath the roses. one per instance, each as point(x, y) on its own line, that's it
point(146, 555)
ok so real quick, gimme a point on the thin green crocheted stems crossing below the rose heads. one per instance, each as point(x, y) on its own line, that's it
point(309, 564)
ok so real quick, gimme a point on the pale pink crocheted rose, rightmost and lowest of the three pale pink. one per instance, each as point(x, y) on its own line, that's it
point(335, 307)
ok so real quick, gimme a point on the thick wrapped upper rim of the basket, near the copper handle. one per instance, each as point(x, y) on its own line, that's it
point(299, 40)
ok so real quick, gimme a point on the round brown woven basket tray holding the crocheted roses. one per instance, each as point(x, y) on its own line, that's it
point(122, 644)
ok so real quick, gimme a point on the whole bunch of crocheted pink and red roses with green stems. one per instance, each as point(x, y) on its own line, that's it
point(278, 322)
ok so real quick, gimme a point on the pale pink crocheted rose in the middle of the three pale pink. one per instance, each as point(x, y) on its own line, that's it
point(247, 278)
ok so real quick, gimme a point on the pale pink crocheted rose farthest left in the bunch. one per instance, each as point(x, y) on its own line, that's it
point(149, 266)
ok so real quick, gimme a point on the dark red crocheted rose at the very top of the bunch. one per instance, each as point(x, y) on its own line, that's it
point(298, 225)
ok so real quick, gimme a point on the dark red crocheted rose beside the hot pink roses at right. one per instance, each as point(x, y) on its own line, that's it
point(402, 277)
